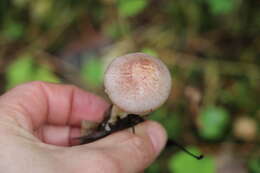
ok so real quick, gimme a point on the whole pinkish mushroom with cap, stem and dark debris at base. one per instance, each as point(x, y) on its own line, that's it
point(137, 84)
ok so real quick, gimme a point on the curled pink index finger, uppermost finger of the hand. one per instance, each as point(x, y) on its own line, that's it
point(37, 103)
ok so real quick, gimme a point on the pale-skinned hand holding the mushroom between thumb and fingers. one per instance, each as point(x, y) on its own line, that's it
point(38, 124)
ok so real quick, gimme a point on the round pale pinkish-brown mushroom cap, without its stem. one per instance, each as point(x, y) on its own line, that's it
point(137, 83)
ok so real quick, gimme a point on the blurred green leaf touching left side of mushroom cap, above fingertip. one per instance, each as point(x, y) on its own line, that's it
point(92, 72)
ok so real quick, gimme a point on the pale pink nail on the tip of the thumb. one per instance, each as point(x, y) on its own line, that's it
point(157, 135)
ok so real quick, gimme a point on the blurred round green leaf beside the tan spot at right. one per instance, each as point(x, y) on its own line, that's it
point(214, 121)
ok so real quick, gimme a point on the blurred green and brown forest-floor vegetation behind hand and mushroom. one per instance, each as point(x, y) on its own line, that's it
point(211, 47)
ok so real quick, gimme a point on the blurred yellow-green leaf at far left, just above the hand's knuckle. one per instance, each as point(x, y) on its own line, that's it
point(20, 71)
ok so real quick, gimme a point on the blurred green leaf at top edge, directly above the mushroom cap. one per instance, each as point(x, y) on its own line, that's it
point(128, 8)
